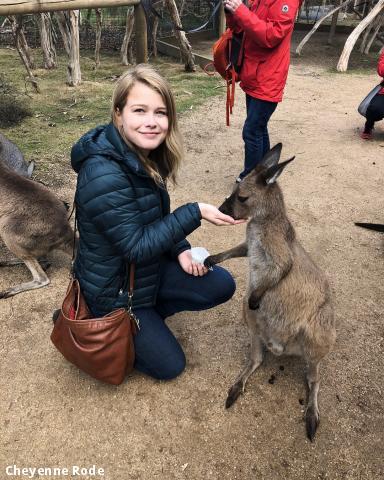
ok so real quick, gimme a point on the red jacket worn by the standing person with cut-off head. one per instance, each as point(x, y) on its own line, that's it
point(267, 26)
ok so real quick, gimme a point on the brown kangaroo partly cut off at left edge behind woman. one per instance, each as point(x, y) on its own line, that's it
point(33, 221)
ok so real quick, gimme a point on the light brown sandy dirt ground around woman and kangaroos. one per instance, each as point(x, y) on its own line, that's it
point(55, 416)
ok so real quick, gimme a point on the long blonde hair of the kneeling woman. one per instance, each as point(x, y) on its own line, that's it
point(163, 162)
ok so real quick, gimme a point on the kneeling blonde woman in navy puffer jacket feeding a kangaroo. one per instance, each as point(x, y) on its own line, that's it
point(123, 217)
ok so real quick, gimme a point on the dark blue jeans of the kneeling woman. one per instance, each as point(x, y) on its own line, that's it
point(157, 351)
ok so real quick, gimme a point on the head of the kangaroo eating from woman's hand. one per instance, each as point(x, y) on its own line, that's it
point(258, 195)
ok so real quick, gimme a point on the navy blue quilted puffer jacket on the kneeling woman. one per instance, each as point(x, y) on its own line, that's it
point(123, 217)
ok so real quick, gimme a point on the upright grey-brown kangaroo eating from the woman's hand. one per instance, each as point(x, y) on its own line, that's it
point(288, 306)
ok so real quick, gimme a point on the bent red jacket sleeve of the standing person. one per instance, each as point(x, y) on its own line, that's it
point(268, 33)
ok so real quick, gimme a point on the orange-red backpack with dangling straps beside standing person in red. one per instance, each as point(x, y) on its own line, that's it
point(227, 60)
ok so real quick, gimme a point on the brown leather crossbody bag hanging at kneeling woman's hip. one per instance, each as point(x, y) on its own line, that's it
point(102, 347)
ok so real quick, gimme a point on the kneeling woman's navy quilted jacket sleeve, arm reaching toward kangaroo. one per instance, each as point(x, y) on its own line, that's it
point(131, 222)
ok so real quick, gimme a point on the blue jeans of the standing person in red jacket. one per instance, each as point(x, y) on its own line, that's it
point(255, 132)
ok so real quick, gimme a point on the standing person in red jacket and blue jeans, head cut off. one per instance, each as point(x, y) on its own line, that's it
point(267, 28)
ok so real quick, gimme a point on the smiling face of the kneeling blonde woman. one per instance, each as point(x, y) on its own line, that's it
point(144, 118)
